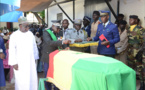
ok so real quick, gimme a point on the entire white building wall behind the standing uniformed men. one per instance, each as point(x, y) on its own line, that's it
point(127, 7)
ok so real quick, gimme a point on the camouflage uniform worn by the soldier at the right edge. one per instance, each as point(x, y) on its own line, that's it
point(135, 57)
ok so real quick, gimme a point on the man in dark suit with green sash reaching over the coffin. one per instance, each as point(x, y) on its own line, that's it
point(50, 44)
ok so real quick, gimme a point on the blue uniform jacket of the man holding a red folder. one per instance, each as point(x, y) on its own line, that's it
point(110, 31)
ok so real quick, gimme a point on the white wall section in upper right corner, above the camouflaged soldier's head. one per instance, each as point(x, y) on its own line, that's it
point(133, 7)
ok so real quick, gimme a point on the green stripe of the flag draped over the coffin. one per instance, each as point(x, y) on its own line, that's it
point(102, 73)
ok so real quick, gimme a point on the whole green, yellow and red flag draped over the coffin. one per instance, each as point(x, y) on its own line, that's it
point(71, 70)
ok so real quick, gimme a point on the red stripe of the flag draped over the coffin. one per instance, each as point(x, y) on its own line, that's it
point(51, 65)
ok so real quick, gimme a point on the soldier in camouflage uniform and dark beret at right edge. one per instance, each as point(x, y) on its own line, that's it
point(135, 55)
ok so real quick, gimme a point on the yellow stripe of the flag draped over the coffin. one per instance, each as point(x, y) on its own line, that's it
point(63, 62)
